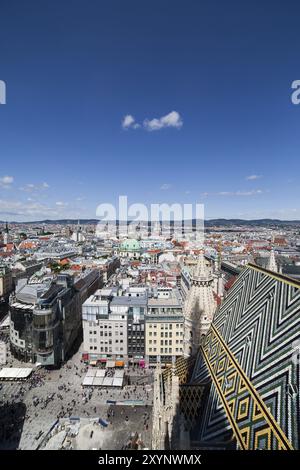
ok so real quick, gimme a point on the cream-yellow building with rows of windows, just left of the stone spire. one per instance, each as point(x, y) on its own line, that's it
point(164, 327)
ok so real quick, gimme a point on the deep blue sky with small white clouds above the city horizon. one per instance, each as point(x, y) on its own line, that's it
point(74, 69)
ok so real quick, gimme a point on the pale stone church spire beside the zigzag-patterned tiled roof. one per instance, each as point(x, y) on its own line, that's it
point(199, 307)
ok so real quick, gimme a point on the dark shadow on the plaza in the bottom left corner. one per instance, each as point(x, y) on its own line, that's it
point(12, 417)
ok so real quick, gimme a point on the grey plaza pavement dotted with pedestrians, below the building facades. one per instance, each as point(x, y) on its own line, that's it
point(50, 395)
